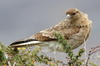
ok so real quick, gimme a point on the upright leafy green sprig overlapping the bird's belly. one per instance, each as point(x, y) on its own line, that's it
point(73, 59)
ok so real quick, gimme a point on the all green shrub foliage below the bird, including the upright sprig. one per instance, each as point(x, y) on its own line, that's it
point(25, 56)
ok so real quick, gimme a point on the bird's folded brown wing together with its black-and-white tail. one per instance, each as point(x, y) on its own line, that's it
point(64, 28)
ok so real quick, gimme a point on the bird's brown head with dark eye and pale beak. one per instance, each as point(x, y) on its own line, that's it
point(73, 13)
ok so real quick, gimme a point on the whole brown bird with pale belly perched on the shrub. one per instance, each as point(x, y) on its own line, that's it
point(75, 28)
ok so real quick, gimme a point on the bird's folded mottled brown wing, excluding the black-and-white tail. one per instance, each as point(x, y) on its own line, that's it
point(64, 28)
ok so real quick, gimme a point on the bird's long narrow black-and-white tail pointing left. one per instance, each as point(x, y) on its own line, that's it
point(27, 42)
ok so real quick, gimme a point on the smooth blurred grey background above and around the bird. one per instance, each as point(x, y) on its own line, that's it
point(20, 19)
